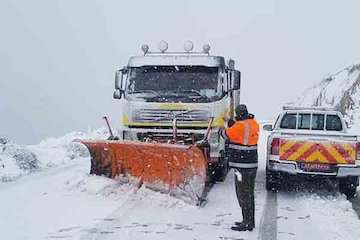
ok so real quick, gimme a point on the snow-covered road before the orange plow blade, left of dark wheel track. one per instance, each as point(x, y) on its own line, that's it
point(67, 203)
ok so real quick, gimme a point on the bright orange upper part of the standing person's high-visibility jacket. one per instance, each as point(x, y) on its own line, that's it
point(244, 132)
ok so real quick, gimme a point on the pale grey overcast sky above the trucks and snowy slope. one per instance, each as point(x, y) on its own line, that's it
point(58, 57)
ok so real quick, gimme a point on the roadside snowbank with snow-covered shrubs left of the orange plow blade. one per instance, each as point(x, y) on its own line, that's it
point(18, 160)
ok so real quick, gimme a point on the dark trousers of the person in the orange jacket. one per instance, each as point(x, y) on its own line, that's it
point(245, 193)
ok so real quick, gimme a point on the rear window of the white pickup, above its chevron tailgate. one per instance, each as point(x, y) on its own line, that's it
point(311, 121)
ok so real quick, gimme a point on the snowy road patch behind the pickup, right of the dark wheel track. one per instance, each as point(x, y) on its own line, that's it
point(312, 211)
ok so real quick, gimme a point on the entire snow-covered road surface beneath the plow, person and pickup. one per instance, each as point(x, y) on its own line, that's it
point(64, 202)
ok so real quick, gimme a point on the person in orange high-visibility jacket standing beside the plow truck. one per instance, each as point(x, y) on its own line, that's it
point(242, 137)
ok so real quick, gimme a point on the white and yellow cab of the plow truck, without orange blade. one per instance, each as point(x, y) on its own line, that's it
point(162, 90)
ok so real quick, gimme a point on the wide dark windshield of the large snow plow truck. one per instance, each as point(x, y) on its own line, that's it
point(174, 83)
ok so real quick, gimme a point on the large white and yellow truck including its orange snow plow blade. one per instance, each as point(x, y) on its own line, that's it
point(172, 107)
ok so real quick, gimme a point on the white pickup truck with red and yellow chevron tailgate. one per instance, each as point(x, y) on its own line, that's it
point(314, 142)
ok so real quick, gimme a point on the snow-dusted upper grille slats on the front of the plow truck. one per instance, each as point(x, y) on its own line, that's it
point(166, 116)
